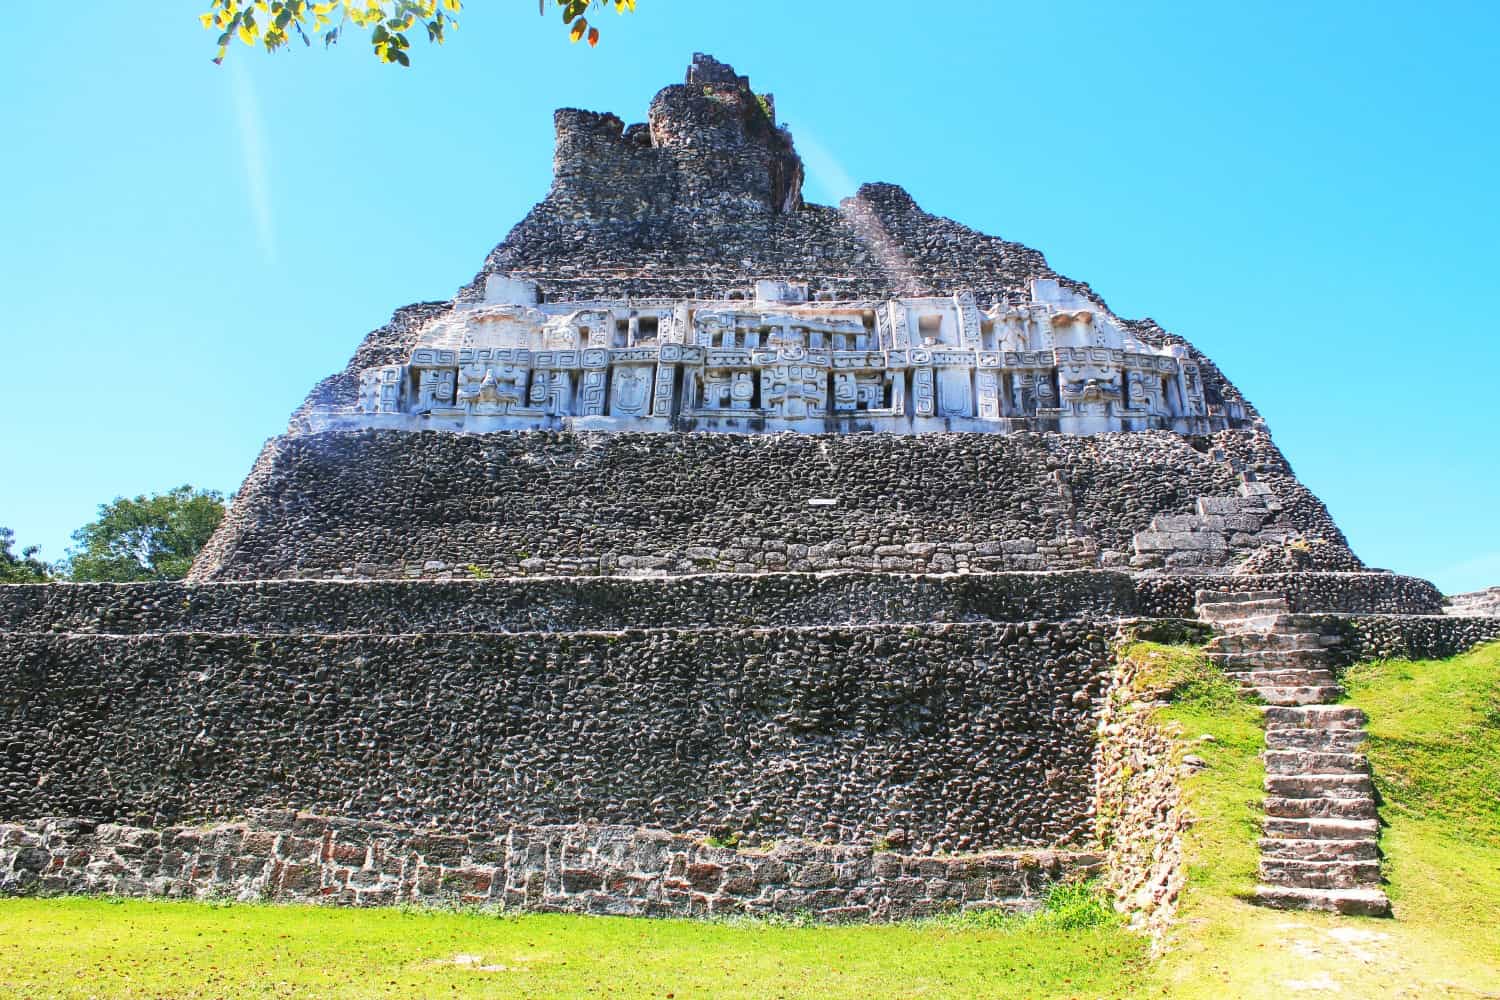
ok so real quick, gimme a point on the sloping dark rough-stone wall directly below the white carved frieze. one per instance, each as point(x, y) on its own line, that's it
point(395, 504)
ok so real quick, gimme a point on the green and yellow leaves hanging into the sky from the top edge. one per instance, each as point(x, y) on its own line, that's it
point(391, 23)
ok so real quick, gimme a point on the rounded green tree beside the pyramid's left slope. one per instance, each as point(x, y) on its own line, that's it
point(148, 537)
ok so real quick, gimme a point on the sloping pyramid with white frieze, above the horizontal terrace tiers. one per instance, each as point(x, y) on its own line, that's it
point(674, 281)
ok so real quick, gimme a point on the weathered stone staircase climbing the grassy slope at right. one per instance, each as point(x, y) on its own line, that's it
point(1321, 837)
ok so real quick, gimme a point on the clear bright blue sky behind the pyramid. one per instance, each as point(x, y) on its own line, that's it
point(1309, 193)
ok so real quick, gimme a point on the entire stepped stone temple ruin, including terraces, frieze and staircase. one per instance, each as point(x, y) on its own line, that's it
point(713, 552)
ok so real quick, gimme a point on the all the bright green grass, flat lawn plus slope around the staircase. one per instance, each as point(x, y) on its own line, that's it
point(1435, 743)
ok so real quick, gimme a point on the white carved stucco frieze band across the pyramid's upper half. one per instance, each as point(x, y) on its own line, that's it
point(781, 362)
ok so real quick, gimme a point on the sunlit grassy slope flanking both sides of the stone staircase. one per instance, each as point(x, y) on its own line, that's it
point(1436, 750)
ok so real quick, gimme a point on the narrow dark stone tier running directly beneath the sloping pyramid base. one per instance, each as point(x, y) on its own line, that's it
point(683, 602)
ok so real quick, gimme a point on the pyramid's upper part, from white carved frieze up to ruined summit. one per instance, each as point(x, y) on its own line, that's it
point(676, 281)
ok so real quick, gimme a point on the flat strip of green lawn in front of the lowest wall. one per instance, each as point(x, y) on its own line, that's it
point(94, 948)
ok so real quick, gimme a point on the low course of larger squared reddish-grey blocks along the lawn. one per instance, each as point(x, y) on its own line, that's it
point(613, 870)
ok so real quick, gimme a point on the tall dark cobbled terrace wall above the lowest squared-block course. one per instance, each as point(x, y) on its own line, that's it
point(952, 738)
